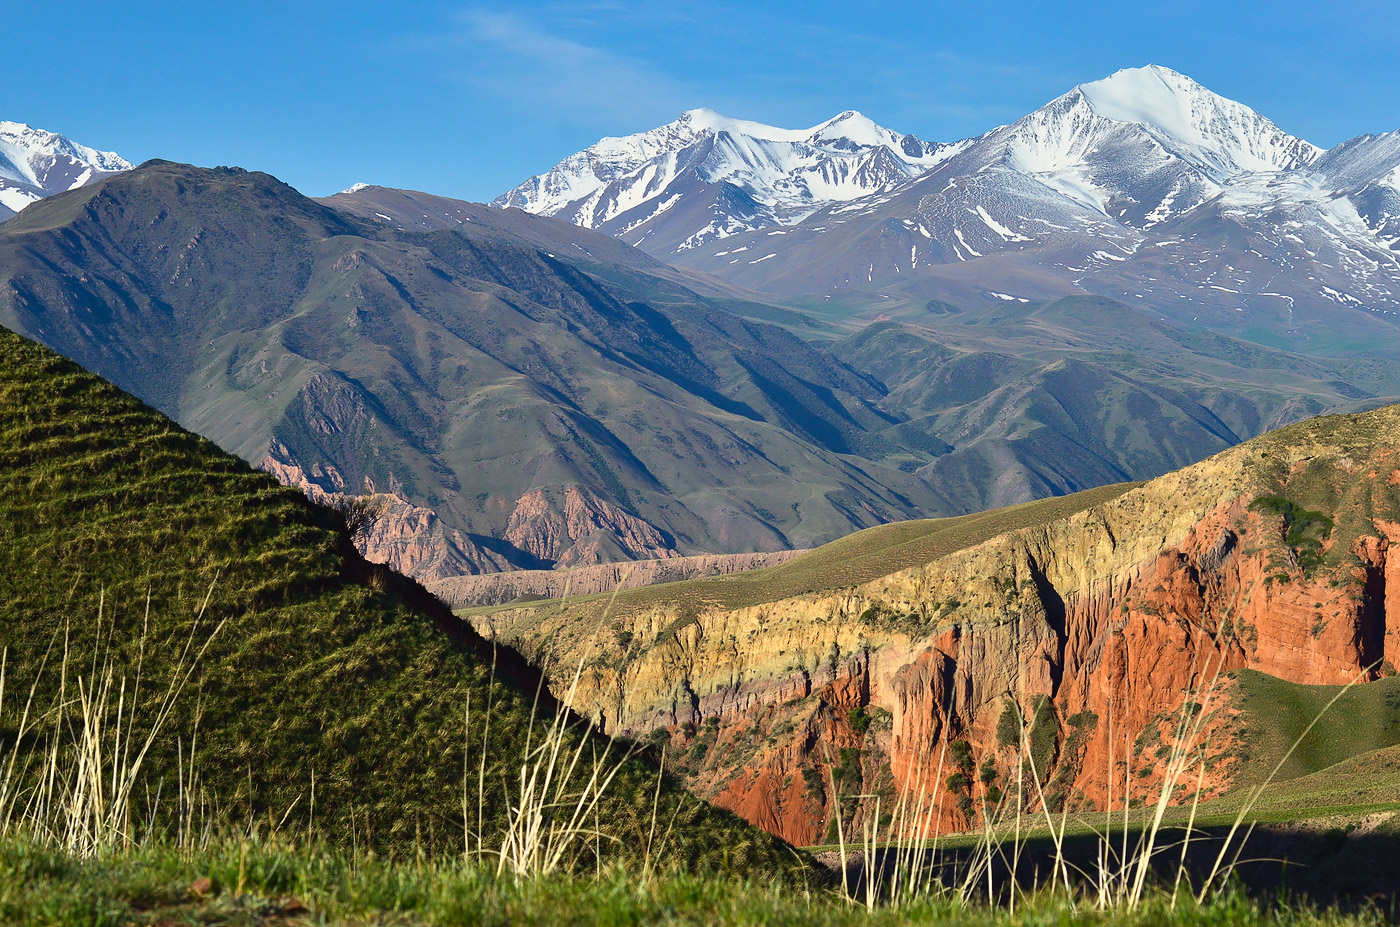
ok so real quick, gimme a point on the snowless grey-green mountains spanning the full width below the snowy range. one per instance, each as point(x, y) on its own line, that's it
point(519, 394)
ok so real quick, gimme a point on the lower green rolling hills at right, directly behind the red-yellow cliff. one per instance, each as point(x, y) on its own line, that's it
point(1035, 400)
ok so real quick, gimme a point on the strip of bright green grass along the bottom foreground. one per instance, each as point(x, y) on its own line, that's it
point(268, 884)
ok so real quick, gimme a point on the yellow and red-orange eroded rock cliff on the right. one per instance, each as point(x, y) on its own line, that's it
point(1090, 632)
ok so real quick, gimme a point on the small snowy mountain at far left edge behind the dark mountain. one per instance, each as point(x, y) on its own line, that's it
point(36, 165)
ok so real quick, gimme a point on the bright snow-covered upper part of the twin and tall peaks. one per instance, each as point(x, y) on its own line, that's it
point(1140, 146)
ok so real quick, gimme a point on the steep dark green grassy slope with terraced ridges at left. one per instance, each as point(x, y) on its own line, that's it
point(114, 519)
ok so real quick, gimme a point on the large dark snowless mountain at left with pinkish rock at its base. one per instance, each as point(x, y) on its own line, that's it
point(519, 410)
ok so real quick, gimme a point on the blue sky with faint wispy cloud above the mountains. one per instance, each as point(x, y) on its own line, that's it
point(470, 99)
